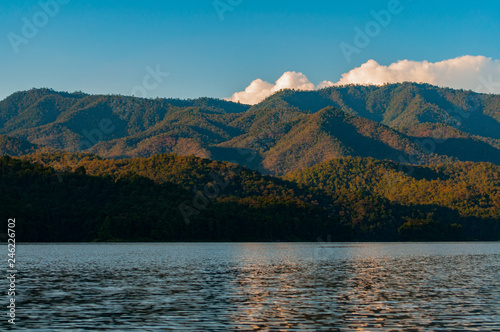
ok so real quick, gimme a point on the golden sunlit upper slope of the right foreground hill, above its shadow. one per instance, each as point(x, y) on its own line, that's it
point(463, 191)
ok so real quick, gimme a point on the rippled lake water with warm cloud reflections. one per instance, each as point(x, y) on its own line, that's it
point(258, 286)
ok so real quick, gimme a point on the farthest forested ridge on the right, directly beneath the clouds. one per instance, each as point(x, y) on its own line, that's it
point(400, 105)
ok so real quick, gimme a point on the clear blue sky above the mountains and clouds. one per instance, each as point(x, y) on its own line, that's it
point(105, 46)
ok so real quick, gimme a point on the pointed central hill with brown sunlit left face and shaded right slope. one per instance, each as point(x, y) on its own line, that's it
point(330, 133)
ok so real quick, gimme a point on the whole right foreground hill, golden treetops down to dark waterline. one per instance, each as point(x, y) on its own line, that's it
point(447, 202)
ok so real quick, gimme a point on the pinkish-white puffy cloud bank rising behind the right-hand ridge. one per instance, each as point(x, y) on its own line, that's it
point(477, 73)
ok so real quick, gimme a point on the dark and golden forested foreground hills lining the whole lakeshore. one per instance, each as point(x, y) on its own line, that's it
point(82, 197)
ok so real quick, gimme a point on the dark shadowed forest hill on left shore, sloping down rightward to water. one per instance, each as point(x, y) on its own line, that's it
point(72, 205)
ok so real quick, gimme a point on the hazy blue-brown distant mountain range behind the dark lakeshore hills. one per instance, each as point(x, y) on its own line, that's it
point(291, 130)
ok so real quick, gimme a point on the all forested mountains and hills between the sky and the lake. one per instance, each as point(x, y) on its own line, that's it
point(353, 163)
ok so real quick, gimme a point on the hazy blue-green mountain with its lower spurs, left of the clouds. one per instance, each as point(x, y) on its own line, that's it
point(60, 120)
